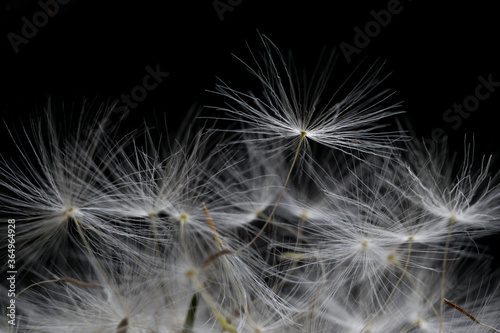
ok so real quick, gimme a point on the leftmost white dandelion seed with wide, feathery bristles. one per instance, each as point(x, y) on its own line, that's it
point(55, 186)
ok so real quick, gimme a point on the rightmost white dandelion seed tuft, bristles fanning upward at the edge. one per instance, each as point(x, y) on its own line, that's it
point(468, 196)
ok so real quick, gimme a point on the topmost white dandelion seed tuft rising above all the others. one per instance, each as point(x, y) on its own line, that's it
point(287, 111)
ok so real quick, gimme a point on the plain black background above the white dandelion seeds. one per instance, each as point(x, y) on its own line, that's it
point(97, 50)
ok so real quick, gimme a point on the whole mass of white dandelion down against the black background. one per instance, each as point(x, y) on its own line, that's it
point(307, 213)
